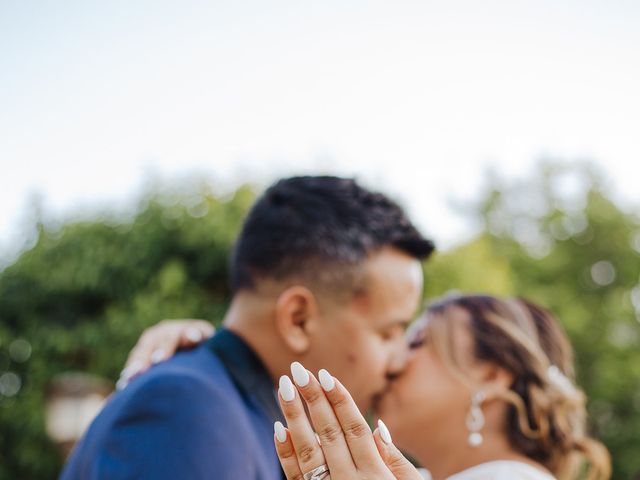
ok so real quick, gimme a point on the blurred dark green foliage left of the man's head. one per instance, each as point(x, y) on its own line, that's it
point(82, 295)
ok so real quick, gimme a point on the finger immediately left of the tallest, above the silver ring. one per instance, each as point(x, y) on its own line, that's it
point(305, 443)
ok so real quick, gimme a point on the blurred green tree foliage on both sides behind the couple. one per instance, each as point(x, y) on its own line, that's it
point(83, 294)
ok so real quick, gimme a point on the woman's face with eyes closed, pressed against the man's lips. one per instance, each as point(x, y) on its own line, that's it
point(428, 402)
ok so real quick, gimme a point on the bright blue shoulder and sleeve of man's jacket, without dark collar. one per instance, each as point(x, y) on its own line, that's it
point(188, 401)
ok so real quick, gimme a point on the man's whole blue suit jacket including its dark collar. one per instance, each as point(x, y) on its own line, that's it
point(204, 414)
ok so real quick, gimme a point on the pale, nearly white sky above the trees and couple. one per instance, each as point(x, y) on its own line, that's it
point(414, 98)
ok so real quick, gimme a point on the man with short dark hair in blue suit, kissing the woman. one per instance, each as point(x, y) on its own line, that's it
point(324, 272)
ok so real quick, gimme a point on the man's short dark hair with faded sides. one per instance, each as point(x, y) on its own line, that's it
point(318, 229)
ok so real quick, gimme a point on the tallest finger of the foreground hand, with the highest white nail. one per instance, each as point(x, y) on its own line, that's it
point(325, 423)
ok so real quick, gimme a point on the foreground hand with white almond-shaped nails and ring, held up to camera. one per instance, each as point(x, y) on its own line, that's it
point(341, 438)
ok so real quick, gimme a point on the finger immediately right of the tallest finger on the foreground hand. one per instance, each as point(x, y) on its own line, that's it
point(356, 430)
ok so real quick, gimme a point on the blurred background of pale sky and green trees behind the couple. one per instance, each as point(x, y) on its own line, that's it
point(135, 135)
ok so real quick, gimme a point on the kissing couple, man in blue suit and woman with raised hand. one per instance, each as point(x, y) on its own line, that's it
point(326, 276)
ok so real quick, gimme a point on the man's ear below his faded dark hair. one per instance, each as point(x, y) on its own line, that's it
point(296, 307)
